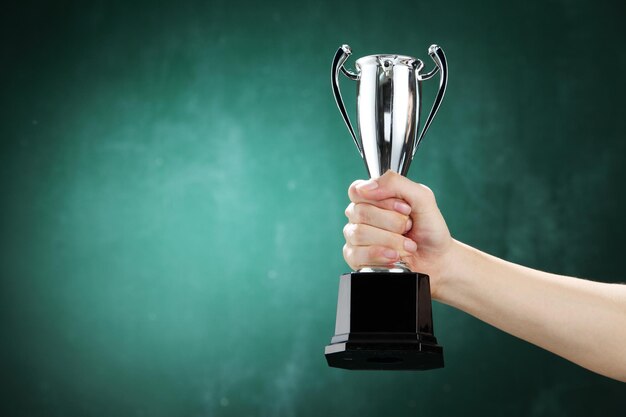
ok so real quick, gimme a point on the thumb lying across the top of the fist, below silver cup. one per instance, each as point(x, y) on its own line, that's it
point(394, 185)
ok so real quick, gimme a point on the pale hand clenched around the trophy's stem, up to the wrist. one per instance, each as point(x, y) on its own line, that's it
point(383, 228)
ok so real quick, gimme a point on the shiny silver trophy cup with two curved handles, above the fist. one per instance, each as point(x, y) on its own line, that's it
point(389, 99)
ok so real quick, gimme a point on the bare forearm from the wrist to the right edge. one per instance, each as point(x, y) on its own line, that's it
point(582, 321)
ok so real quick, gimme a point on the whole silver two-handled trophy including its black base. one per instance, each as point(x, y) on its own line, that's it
point(384, 314)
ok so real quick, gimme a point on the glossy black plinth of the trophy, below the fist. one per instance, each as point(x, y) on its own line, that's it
point(384, 322)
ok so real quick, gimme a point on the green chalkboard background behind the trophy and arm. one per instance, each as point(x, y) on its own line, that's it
point(173, 177)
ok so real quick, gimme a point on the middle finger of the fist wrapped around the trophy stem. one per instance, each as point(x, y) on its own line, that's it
point(392, 220)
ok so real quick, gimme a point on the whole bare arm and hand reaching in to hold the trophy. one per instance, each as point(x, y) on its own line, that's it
point(393, 218)
